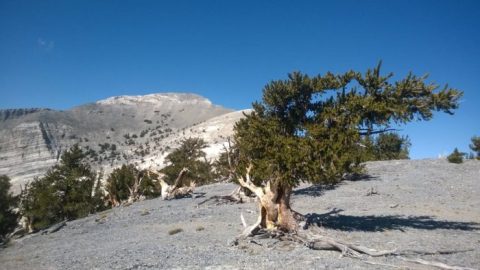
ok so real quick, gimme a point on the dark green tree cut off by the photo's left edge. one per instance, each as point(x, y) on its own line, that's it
point(8, 218)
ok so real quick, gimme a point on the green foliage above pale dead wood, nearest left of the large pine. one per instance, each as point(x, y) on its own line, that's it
point(191, 156)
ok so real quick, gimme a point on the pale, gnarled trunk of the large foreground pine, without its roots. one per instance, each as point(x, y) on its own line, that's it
point(274, 204)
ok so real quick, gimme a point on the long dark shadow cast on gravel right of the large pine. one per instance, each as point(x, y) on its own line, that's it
point(334, 220)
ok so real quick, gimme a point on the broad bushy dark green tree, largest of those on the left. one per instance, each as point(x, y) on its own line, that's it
point(65, 192)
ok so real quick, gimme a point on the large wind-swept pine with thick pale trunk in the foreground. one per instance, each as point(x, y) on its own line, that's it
point(309, 129)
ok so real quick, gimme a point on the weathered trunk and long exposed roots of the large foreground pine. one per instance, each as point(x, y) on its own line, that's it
point(276, 220)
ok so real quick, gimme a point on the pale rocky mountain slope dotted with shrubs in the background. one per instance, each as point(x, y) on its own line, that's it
point(134, 129)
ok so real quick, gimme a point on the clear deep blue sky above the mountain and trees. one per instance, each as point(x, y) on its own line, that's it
point(60, 54)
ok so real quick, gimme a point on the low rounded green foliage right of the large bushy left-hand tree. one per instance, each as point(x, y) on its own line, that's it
point(122, 180)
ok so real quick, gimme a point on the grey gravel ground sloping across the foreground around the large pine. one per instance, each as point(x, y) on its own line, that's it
point(421, 204)
